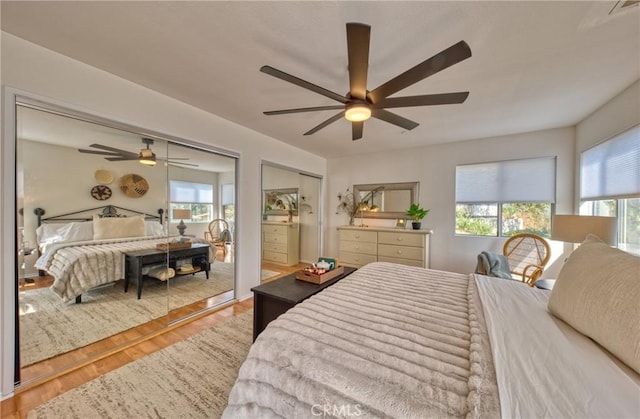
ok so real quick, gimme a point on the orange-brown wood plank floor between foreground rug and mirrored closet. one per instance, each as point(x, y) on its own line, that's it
point(26, 399)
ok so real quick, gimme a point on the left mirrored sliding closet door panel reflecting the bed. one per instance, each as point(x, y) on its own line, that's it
point(70, 168)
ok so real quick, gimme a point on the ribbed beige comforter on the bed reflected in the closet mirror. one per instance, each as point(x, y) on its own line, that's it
point(80, 266)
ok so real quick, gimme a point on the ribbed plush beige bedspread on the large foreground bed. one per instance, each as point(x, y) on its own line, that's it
point(387, 341)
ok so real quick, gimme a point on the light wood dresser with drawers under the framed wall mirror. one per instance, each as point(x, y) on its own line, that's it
point(359, 246)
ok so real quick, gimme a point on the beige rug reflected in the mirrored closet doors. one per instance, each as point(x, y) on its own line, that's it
point(49, 327)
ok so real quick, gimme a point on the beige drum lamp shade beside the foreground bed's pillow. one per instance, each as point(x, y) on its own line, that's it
point(575, 228)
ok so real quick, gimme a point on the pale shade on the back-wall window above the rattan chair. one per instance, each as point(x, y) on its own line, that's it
point(527, 180)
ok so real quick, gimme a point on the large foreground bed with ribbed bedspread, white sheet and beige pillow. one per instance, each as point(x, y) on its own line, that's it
point(398, 341)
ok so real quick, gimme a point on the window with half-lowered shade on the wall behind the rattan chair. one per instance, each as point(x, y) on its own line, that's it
point(505, 198)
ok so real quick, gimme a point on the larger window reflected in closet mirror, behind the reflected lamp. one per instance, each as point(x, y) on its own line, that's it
point(197, 197)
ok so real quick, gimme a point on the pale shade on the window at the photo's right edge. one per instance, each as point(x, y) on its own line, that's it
point(611, 170)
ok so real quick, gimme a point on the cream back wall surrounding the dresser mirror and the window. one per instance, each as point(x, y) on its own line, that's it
point(434, 167)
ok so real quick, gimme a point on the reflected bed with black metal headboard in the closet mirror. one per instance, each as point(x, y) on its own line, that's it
point(85, 249)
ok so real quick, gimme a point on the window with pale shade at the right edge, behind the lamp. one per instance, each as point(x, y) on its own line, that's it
point(610, 185)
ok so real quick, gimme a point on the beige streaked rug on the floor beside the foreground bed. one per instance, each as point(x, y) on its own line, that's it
point(190, 379)
